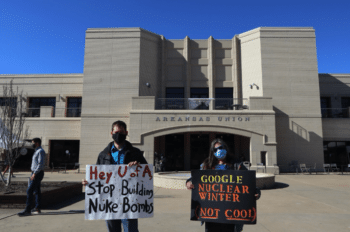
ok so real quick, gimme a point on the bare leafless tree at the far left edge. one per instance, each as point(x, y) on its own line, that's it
point(12, 132)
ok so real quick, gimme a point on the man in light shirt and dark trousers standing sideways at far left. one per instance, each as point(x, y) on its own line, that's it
point(37, 175)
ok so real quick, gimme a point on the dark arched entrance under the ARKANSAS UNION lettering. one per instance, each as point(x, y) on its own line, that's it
point(187, 151)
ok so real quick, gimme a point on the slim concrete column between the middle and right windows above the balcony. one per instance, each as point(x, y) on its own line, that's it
point(211, 79)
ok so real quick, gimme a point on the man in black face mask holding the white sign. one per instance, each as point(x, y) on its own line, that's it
point(120, 151)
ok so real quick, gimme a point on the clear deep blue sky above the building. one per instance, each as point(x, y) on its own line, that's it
point(47, 36)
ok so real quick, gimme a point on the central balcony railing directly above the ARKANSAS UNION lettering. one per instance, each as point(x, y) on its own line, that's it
point(201, 103)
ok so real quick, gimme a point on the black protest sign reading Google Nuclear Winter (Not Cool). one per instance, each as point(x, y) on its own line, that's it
point(224, 196)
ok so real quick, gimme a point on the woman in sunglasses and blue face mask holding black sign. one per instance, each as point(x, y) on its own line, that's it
point(219, 159)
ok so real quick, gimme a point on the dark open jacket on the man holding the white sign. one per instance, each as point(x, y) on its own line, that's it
point(131, 154)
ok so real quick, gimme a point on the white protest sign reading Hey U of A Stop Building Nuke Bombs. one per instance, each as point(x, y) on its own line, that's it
point(119, 192)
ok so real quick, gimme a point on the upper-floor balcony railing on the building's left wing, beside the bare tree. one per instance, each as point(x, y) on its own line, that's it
point(52, 112)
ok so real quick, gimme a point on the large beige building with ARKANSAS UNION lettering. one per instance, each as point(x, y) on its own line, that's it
point(260, 91)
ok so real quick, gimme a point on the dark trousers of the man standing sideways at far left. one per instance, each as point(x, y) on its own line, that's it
point(34, 187)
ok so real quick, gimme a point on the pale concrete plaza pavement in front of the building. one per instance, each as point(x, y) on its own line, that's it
point(300, 203)
